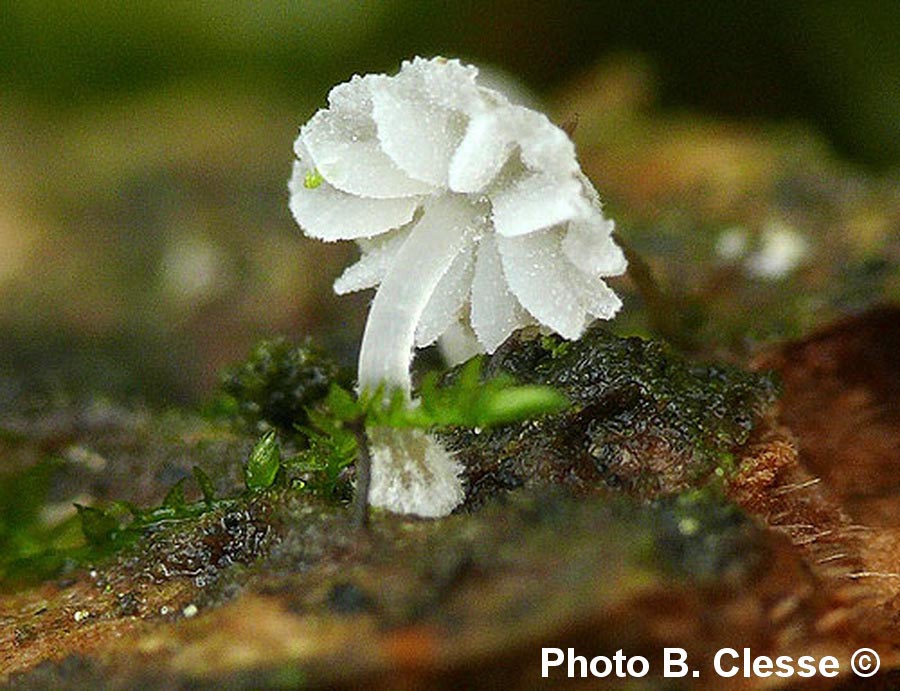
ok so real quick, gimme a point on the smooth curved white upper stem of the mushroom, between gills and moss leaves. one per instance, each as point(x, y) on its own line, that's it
point(390, 334)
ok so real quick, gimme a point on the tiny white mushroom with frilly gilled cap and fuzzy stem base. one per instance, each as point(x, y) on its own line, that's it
point(473, 218)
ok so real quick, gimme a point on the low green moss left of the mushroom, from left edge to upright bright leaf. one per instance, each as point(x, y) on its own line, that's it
point(34, 547)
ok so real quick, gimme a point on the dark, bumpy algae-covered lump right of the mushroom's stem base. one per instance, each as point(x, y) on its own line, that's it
point(644, 419)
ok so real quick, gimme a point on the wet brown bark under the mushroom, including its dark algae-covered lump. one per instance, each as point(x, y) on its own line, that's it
point(781, 538)
